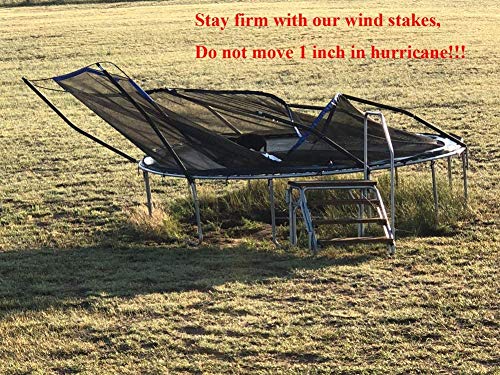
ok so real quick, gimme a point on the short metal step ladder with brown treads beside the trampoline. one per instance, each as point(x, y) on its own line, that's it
point(371, 210)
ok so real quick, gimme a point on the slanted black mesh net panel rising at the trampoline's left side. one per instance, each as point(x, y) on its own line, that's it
point(199, 148)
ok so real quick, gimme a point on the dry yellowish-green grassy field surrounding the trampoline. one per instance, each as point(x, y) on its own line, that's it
point(89, 284)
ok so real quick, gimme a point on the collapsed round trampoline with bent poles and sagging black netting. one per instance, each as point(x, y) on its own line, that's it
point(240, 134)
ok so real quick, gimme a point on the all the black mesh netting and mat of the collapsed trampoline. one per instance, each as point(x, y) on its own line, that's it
point(203, 128)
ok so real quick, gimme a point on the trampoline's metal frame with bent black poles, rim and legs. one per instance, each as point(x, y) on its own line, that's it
point(459, 150)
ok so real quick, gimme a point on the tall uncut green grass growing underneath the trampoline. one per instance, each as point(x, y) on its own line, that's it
point(243, 208)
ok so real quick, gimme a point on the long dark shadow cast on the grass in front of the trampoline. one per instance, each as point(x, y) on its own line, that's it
point(39, 279)
